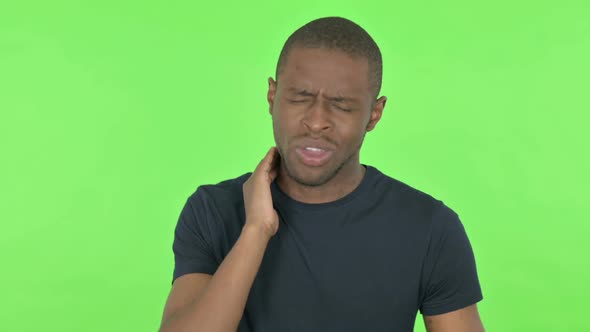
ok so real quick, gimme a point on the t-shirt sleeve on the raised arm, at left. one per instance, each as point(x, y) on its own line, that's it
point(192, 245)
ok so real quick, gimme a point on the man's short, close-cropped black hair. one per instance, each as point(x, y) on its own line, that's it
point(341, 34)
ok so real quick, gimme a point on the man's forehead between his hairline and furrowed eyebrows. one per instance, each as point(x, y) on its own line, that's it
point(331, 71)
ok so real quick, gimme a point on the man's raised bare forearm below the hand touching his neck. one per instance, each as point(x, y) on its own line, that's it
point(221, 304)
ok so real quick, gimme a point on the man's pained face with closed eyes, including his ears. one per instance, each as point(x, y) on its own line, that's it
point(321, 109)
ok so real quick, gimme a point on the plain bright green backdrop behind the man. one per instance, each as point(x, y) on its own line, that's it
point(112, 113)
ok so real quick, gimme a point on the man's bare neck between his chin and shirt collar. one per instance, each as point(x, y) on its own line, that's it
point(342, 184)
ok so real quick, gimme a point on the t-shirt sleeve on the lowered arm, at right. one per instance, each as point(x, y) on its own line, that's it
point(450, 280)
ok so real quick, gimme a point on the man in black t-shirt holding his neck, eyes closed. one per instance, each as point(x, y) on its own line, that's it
point(313, 240)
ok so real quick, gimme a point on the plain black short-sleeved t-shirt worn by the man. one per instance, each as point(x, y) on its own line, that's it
point(366, 262)
